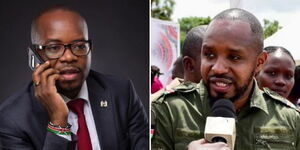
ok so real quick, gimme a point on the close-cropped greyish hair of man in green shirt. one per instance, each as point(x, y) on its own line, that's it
point(236, 14)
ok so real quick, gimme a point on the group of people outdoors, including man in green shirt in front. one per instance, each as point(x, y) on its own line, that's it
point(227, 60)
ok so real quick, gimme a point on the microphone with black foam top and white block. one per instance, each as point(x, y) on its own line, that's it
point(220, 127)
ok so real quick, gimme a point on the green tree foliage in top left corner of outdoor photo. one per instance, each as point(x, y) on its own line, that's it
point(162, 9)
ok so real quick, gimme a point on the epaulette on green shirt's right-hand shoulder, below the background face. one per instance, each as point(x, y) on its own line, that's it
point(279, 98)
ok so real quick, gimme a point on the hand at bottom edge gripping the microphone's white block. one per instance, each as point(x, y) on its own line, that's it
point(202, 144)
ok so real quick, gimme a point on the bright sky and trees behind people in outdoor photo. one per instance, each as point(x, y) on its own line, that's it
point(279, 18)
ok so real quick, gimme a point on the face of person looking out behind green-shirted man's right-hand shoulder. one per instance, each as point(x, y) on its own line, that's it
point(278, 73)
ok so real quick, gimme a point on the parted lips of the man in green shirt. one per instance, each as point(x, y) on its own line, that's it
point(220, 85)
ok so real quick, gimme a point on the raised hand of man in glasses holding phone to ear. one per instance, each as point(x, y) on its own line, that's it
point(44, 78)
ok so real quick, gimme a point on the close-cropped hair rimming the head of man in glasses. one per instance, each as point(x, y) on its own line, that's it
point(34, 25)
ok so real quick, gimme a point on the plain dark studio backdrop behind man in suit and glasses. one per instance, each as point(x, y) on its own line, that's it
point(119, 30)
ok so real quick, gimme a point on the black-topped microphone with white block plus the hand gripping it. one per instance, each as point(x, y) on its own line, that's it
point(220, 129)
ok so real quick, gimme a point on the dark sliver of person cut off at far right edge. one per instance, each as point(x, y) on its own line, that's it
point(295, 93)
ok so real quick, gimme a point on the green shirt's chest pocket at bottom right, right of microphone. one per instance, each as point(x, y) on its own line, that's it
point(274, 138)
